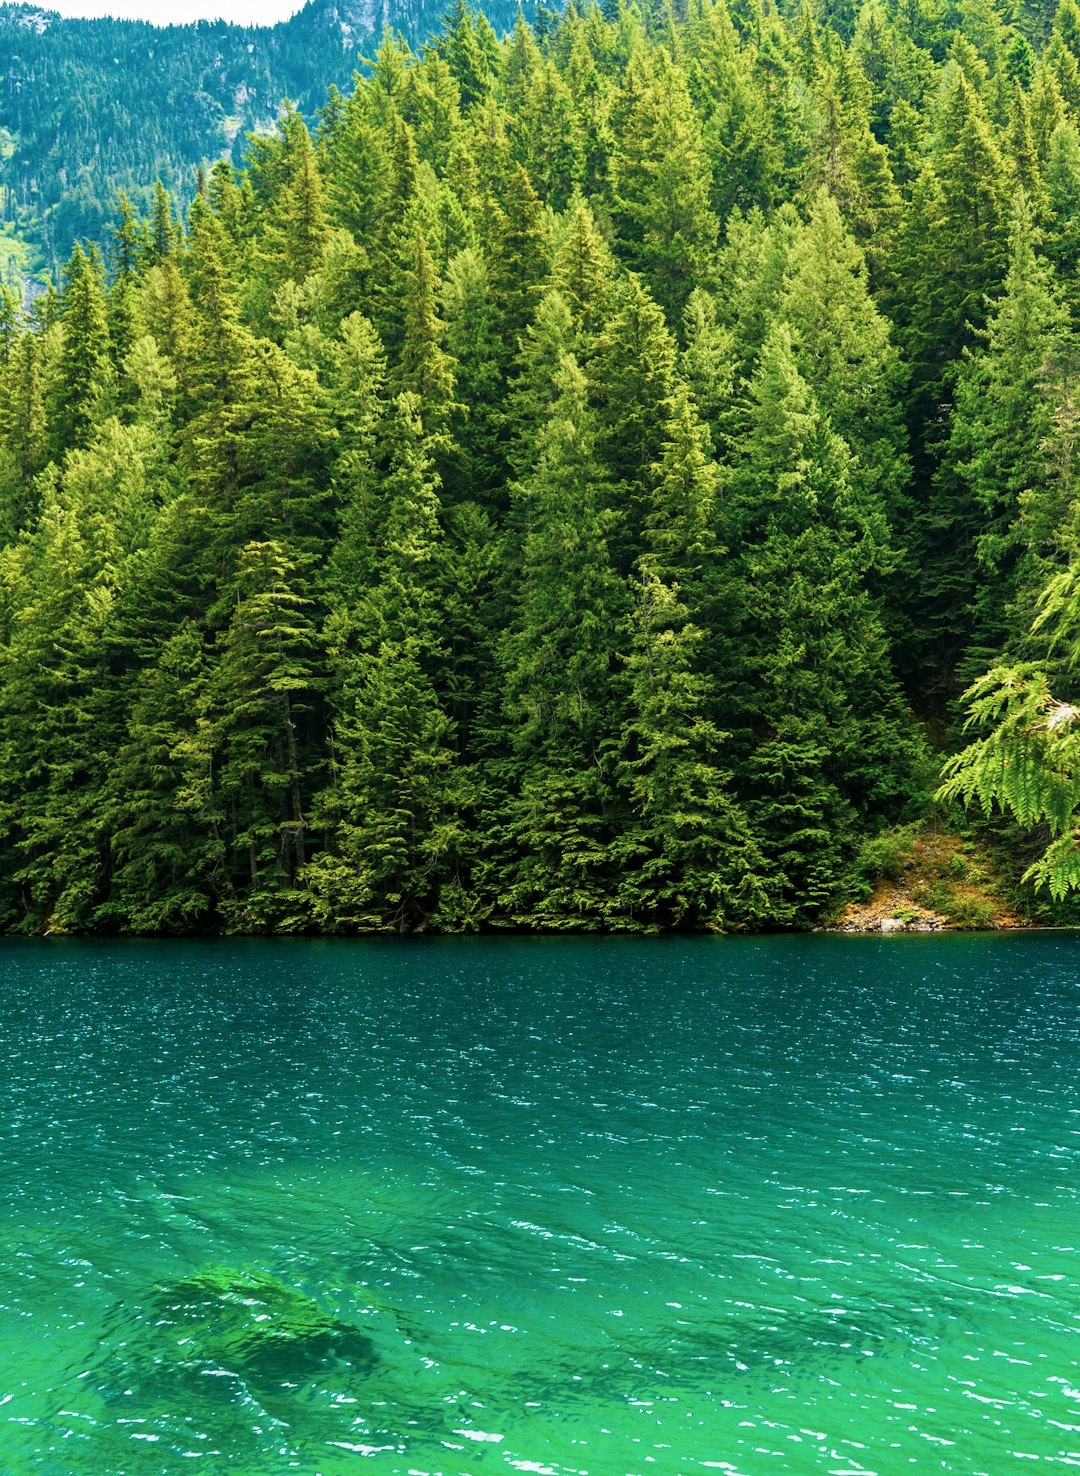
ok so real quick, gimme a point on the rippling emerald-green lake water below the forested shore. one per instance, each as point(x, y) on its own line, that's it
point(600, 1207)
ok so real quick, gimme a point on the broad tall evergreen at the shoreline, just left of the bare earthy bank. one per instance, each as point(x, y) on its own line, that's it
point(814, 696)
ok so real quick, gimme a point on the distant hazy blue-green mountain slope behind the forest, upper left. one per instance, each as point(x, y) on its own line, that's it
point(94, 107)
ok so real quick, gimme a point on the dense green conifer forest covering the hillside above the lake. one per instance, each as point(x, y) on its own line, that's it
point(572, 485)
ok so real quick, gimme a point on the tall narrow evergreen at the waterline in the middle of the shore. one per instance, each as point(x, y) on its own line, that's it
point(558, 661)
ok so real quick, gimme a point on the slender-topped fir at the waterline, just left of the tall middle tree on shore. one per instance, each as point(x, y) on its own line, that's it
point(396, 790)
